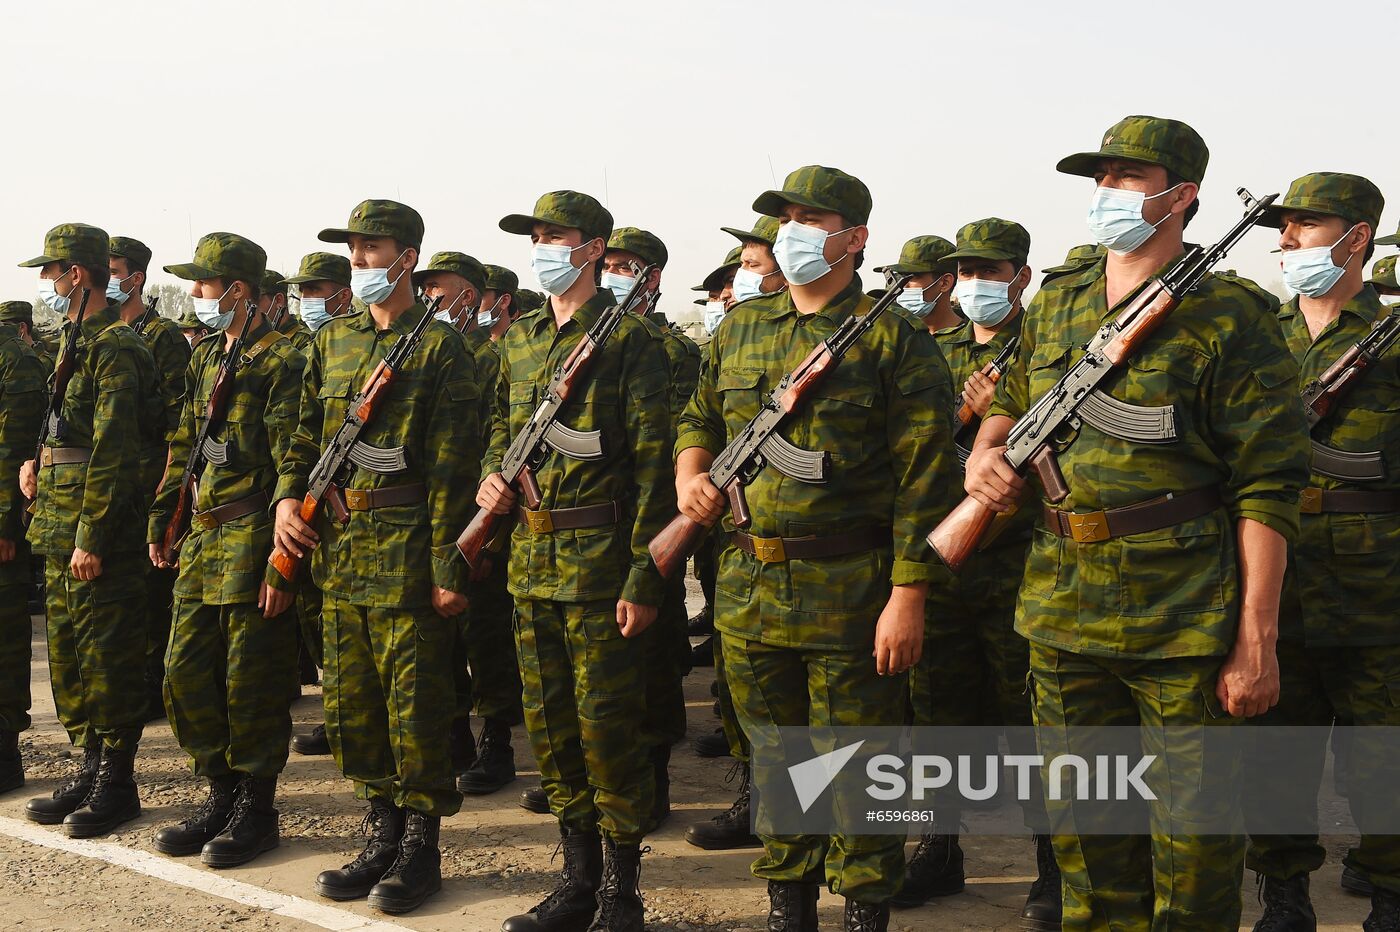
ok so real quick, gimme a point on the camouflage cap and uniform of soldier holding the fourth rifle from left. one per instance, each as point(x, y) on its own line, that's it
point(584, 682)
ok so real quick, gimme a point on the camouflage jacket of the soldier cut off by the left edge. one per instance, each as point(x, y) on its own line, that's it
point(23, 400)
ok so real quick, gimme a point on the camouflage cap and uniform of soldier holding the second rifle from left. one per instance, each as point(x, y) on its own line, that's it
point(232, 672)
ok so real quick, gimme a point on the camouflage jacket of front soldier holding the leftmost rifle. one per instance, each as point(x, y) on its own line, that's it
point(100, 506)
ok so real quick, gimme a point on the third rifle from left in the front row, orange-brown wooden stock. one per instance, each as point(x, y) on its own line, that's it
point(331, 472)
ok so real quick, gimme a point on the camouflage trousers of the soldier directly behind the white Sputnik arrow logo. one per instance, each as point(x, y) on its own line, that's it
point(789, 686)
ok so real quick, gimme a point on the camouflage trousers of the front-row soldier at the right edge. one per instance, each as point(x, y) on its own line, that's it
point(1321, 686)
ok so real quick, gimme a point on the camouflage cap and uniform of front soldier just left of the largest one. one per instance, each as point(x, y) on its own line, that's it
point(797, 635)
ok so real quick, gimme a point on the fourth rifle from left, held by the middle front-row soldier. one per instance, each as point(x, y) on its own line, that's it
point(542, 433)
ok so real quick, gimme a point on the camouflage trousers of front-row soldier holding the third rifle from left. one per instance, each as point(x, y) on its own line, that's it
point(388, 695)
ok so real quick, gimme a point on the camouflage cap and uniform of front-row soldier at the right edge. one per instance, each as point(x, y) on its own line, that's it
point(1339, 650)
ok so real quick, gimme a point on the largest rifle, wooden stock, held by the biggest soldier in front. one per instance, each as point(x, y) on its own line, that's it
point(1032, 443)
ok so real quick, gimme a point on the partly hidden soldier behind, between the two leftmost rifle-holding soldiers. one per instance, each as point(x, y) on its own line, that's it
point(127, 288)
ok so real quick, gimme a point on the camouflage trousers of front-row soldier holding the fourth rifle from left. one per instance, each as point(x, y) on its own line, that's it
point(584, 710)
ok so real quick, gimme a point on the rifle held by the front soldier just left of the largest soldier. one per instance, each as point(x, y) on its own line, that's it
point(759, 444)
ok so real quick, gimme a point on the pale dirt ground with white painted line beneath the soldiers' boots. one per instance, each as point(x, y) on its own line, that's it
point(498, 859)
